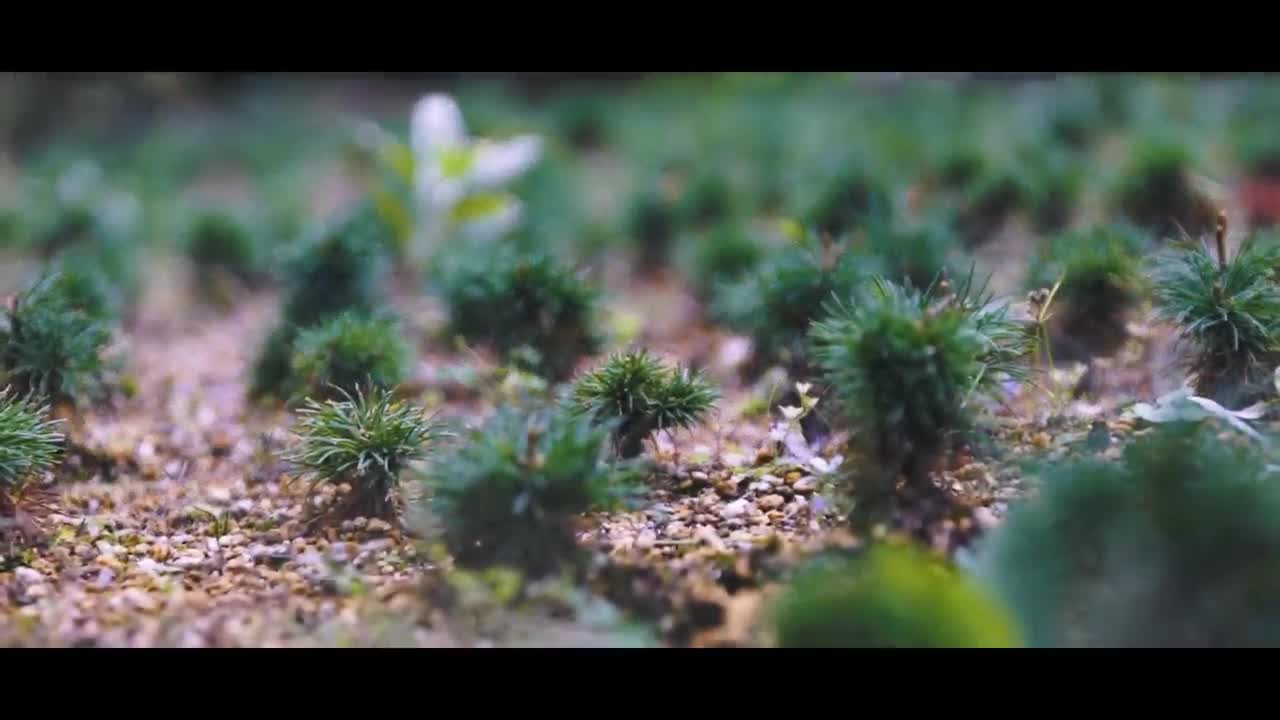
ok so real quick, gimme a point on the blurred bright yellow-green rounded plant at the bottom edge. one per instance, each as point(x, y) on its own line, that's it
point(890, 596)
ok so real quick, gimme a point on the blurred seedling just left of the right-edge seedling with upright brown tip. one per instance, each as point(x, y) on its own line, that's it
point(1103, 282)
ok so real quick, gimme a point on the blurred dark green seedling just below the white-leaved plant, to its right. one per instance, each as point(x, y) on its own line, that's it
point(528, 308)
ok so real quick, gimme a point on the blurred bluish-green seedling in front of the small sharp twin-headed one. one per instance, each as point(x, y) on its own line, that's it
point(511, 493)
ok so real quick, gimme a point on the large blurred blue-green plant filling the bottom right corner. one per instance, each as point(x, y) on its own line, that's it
point(1173, 546)
